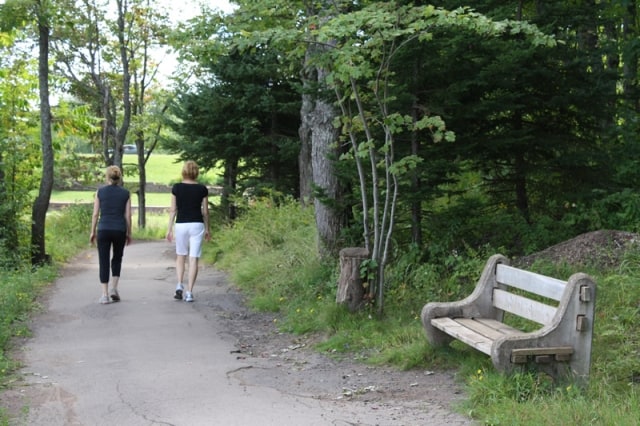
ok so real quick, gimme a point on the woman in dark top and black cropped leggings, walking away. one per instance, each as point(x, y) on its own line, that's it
point(112, 205)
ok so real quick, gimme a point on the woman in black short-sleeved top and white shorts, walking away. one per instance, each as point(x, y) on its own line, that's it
point(188, 225)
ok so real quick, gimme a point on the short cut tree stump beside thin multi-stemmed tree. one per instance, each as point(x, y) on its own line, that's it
point(350, 287)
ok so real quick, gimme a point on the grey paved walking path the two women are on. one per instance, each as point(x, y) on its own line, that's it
point(151, 360)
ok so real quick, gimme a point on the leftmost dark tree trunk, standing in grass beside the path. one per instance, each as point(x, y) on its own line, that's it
point(41, 203)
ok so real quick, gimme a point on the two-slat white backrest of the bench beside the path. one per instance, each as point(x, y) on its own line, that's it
point(541, 285)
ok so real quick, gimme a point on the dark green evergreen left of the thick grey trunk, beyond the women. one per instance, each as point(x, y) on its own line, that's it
point(246, 117)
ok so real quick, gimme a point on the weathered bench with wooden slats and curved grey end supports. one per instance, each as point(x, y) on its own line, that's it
point(564, 309)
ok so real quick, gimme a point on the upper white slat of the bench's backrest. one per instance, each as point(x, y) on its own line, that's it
point(542, 285)
